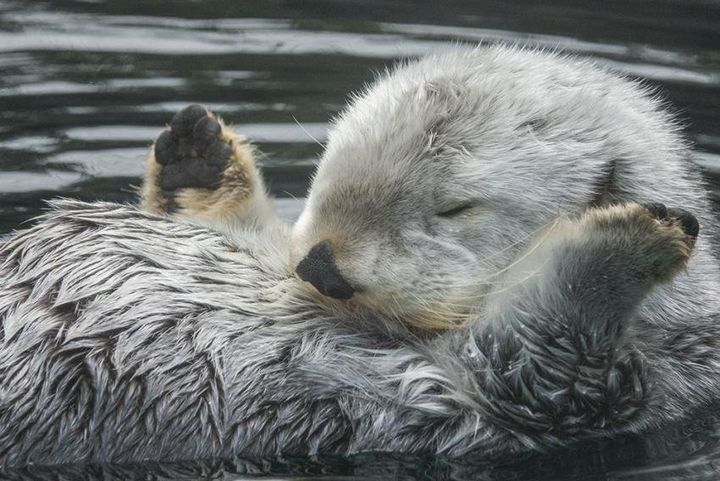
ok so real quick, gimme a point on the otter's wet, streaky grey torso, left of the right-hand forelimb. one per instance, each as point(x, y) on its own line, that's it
point(160, 340)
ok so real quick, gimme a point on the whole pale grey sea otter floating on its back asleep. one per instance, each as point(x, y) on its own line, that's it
point(485, 264)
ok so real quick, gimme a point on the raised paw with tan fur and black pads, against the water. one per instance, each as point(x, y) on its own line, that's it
point(199, 167)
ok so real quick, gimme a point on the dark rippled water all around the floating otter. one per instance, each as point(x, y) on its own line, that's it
point(86, 85)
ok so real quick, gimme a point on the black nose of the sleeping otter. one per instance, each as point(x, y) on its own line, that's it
point(319, 269)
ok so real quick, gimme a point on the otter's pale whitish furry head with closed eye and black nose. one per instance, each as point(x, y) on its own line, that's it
point(435, 178)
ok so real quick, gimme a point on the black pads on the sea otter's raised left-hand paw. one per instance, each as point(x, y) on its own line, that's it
point(191, 152)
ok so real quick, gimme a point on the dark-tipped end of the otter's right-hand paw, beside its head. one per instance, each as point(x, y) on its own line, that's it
point(651, 239)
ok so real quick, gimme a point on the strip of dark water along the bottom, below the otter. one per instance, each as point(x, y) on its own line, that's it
point(686, 451)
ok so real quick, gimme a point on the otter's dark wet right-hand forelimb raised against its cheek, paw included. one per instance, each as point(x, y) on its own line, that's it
point(559, 355)
